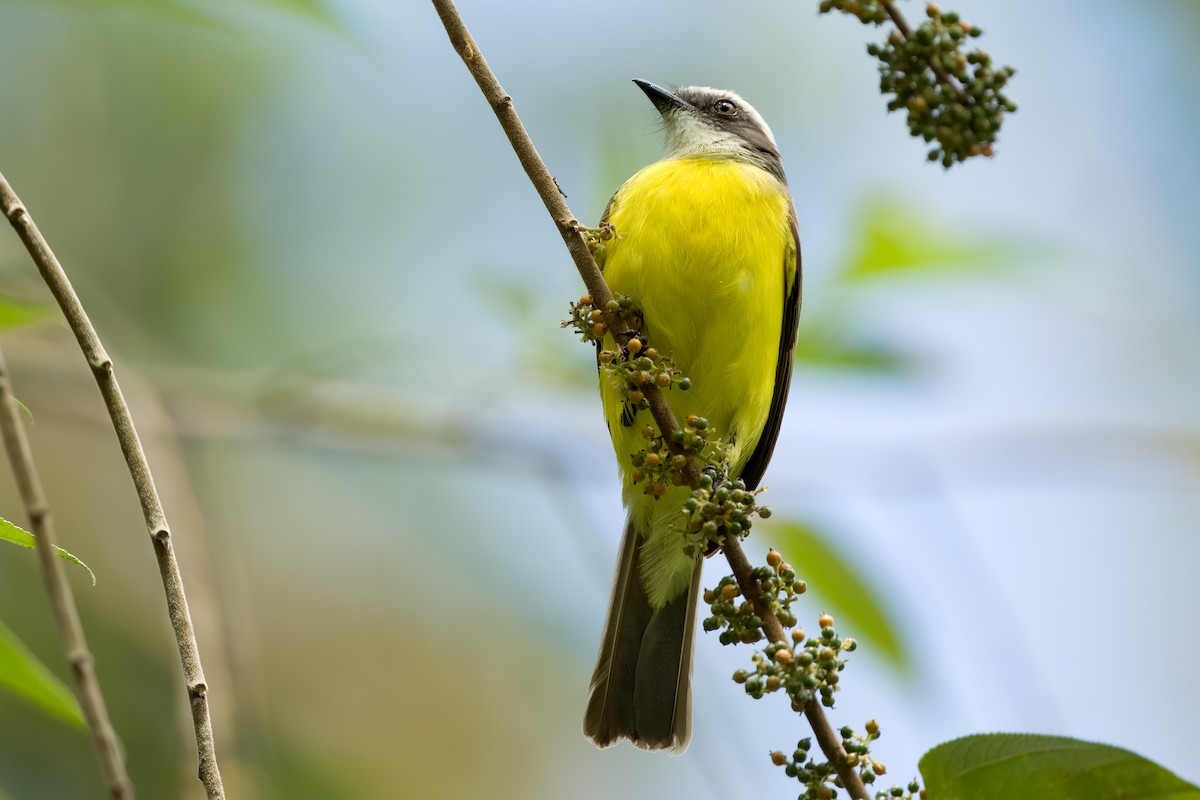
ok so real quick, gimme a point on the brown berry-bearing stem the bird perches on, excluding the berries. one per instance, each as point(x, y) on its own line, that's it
point(569, 228)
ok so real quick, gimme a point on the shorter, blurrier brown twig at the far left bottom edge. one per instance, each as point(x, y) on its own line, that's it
point(67, 615)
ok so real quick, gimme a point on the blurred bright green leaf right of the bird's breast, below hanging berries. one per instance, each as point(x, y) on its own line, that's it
point(895, 242)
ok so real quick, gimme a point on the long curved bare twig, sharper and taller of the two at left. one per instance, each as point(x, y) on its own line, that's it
point(143, 482)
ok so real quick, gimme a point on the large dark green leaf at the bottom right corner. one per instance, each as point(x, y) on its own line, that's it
point(1004, 766)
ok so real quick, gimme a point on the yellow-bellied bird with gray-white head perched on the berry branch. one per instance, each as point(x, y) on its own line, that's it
point(706, 245)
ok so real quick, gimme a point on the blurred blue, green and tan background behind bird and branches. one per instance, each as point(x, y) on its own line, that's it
point(333, 299)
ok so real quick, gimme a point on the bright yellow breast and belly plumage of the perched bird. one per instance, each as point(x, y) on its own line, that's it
point(704, 249)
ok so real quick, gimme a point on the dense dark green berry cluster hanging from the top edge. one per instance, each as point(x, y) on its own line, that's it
point(955, 99)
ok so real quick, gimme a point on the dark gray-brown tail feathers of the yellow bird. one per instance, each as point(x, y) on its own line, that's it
point(641, 689)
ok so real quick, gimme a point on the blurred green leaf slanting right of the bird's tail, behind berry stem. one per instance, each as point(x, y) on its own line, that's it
point(857, 607)
